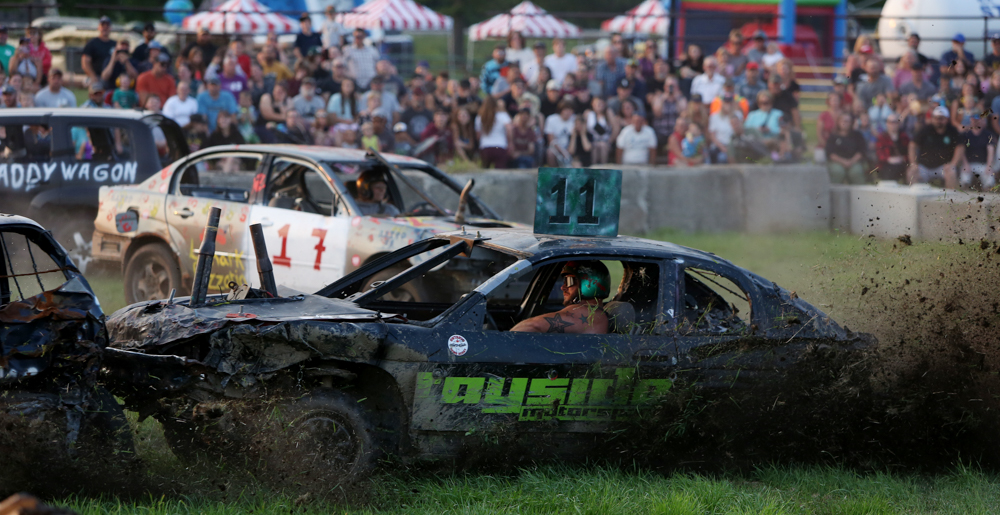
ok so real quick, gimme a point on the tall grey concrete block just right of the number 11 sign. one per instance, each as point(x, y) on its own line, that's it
point(701, 199)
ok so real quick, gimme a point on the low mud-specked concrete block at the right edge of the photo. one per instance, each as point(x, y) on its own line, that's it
point(957, 215)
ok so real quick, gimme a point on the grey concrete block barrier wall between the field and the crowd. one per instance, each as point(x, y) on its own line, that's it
point(761, 200)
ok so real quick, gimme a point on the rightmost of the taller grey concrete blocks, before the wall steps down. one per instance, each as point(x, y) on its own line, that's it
point(786, 198)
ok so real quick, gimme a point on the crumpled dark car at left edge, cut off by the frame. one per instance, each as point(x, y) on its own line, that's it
point(53, 414)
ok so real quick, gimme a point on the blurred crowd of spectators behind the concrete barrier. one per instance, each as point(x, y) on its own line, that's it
point(544, 105)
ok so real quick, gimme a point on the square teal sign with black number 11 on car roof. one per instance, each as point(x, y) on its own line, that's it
point(578, 201)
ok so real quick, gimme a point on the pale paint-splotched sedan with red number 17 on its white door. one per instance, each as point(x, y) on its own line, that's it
point(325, 211)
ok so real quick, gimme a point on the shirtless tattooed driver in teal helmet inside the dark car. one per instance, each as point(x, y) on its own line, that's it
point(585, 285)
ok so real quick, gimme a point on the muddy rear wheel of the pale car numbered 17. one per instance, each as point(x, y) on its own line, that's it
point(151, 273)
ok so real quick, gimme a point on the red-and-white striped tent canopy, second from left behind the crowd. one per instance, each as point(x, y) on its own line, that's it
point(394, 15)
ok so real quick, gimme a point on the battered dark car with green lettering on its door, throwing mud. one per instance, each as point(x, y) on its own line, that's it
point(339, 378)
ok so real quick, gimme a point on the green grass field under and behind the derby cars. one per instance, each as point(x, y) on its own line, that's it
point(824, 268)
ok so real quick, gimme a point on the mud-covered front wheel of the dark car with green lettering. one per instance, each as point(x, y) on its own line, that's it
point(327, 437)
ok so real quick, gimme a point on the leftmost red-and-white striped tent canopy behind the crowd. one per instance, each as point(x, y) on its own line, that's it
point(241, 17)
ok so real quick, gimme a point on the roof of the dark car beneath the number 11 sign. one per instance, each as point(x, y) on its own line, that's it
point(523, 242)
